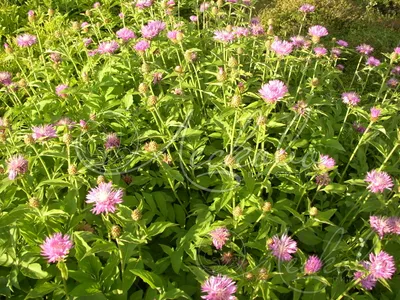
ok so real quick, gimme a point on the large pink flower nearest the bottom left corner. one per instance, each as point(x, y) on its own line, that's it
point(56, 247)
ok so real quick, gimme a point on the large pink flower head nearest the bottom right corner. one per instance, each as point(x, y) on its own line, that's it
point(382, 265)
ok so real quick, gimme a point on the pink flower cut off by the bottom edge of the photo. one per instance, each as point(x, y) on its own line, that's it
point(218, 288)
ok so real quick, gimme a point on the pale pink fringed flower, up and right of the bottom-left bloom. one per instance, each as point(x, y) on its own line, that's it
point(104, 198)
